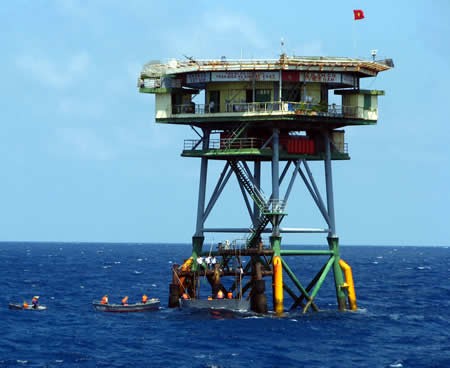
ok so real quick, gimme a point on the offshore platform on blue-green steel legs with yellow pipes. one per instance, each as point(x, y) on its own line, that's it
point(263, 122)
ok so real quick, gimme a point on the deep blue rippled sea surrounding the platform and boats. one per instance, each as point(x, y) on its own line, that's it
point(403, 318)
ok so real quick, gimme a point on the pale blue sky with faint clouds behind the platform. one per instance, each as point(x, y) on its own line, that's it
point(83, 160)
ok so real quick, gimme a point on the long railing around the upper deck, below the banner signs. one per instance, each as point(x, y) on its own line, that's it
point(297, 108)
